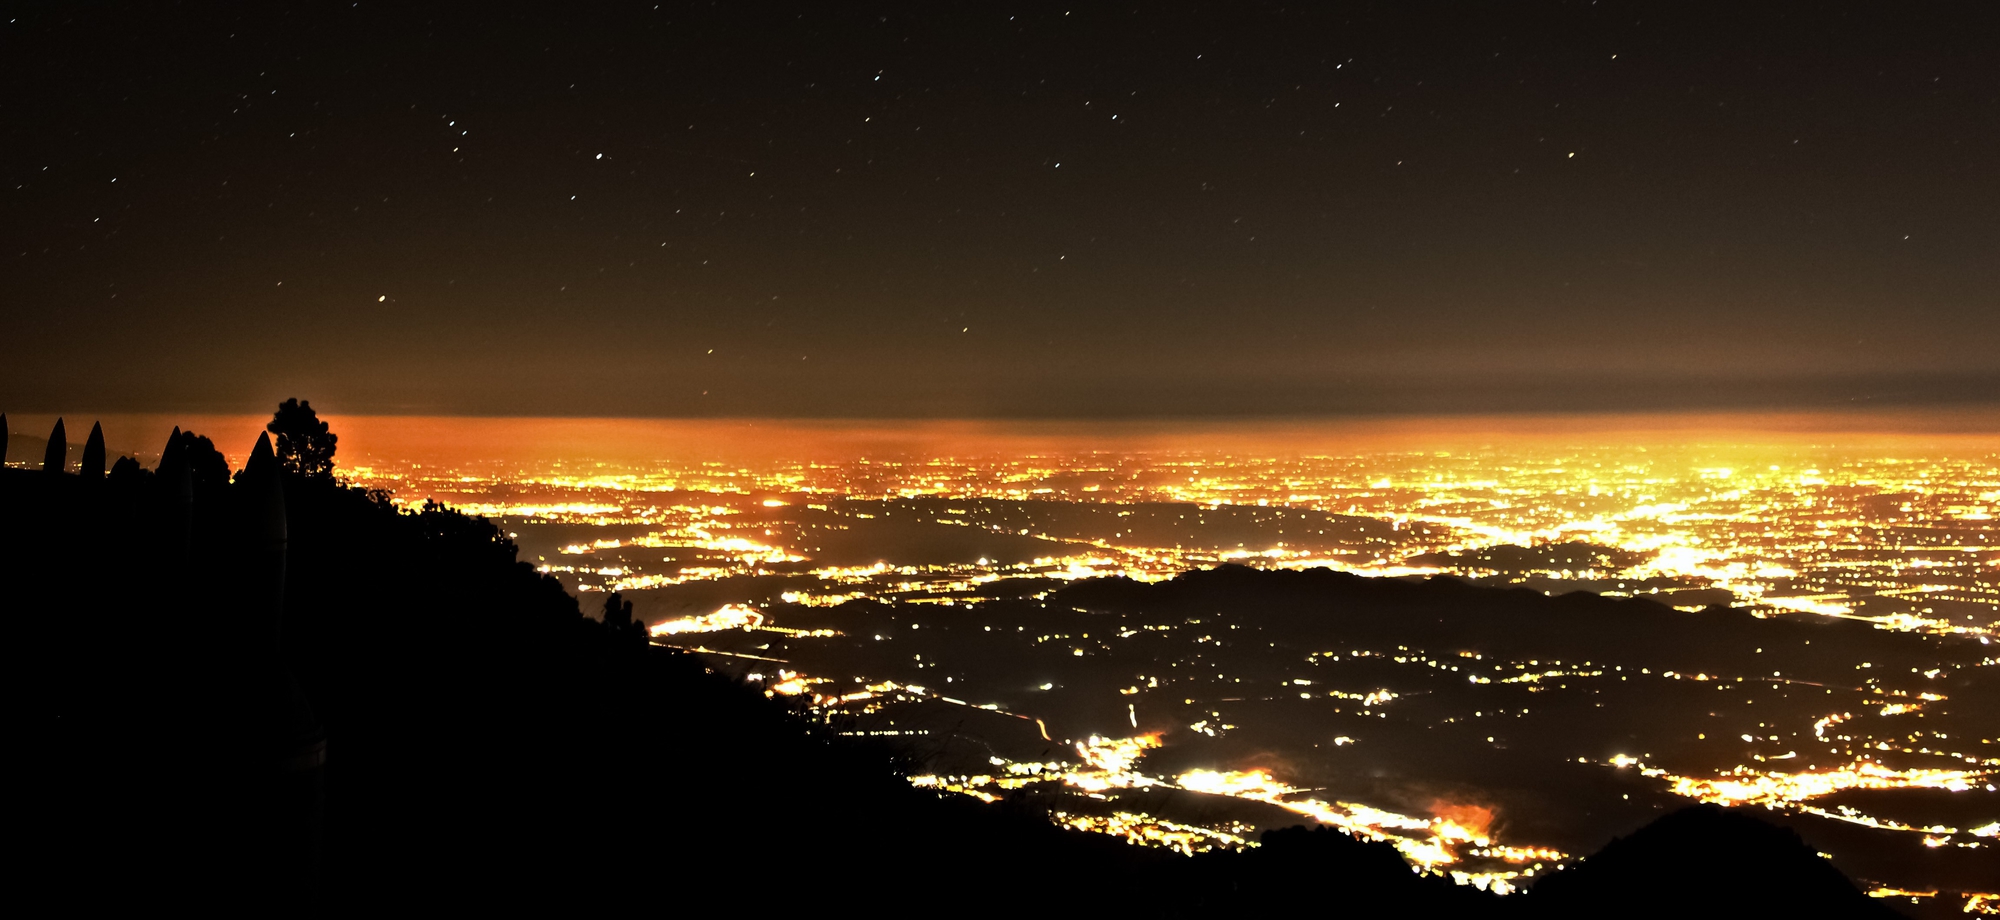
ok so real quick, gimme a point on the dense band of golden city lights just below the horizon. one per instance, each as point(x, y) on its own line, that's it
point(1795, 535)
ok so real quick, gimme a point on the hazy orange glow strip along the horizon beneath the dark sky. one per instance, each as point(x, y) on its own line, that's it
point(649, 441)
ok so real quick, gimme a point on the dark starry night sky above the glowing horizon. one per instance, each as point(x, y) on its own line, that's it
point(999, 209)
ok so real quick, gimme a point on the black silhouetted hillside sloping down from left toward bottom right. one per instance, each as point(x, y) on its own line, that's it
point(375, 707)
